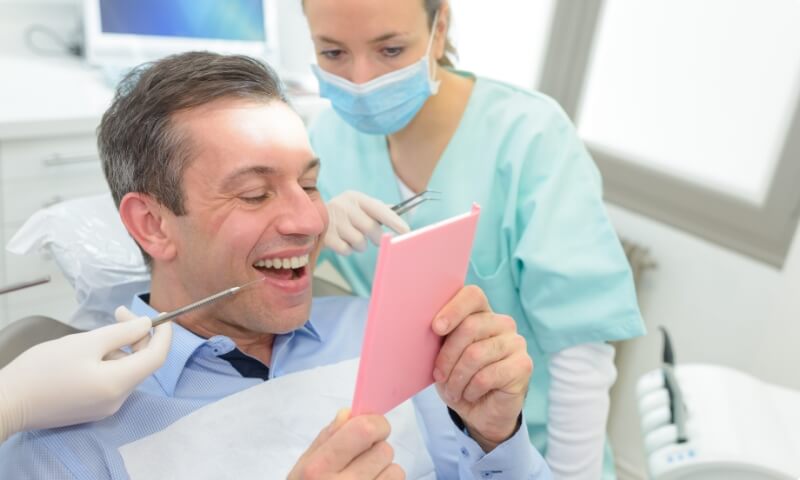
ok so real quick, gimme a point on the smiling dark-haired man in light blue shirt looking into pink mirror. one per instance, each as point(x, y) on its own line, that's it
point(215, 179)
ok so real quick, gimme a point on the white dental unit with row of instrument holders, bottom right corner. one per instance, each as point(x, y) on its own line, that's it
point(711, 422)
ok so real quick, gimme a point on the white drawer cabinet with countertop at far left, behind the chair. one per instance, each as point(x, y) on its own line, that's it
point(49, 109)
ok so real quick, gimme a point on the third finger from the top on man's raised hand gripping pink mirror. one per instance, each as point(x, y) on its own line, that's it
point(474, 359)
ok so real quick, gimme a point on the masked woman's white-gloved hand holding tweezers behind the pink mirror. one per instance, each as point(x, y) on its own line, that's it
point(354, 217)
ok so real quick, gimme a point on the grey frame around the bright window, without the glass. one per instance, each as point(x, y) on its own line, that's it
point(764, 232)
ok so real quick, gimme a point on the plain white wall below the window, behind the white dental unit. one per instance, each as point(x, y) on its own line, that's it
point(719, 306)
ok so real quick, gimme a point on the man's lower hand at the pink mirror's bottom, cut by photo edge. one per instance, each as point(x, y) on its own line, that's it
point(350, 448)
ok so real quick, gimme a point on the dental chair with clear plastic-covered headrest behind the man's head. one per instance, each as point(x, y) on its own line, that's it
point(87, 240)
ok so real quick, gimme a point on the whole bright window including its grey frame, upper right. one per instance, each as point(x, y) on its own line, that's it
point(691, 109)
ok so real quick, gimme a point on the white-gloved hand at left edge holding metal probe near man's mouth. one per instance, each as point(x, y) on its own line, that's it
point(81, 377)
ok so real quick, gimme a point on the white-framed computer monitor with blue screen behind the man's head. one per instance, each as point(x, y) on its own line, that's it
point(123, 33)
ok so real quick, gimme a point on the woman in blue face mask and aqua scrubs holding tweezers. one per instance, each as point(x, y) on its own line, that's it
point(403, 121)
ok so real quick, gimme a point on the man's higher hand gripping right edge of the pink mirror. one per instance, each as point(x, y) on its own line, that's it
point(483, 369)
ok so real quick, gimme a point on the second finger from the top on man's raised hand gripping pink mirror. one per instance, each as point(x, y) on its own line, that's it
point(475, 328)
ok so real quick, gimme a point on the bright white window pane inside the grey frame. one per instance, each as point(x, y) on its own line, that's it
point(703, 90)
